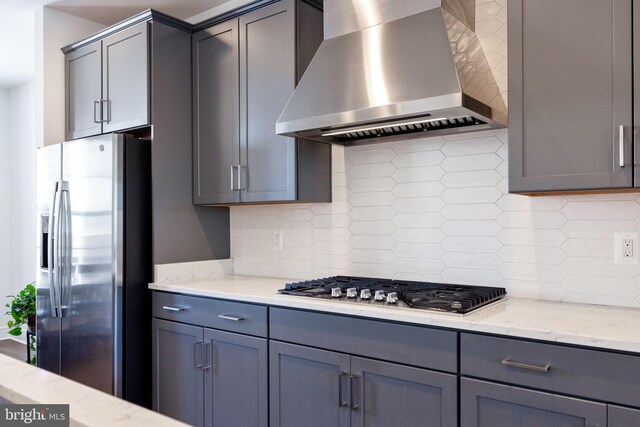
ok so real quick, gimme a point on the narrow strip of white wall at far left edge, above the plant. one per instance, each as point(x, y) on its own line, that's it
point(5, 197)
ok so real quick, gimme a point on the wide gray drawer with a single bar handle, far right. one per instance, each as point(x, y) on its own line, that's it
point(601, 375)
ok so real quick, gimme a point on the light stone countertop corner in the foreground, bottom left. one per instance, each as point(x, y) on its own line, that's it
point(25, 384)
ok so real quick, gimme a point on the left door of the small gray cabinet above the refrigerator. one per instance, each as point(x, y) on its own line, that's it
point(83, 90)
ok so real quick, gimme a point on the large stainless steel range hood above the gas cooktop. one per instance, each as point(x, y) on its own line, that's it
point(422, 75)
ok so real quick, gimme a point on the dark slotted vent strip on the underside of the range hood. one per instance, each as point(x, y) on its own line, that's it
point(401, 128)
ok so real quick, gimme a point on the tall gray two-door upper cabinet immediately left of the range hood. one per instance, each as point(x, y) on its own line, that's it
point(244, 71)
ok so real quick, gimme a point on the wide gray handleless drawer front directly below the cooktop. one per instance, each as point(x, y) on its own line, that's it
point(410, 345)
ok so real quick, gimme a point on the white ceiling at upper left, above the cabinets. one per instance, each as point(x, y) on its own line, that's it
point(17, 26)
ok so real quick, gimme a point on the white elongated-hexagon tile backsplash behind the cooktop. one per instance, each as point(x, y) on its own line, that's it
point(437, 209)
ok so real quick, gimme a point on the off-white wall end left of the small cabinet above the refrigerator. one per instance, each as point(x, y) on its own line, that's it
point(54, 29)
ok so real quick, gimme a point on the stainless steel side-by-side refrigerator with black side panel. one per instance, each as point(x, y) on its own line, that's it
point(93, 304)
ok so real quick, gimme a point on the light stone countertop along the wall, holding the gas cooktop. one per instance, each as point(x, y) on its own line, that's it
point(596, 326)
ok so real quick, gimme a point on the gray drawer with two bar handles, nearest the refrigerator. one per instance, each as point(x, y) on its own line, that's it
point(211, 313)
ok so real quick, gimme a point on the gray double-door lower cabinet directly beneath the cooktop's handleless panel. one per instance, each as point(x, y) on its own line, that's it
point(312, 387)
